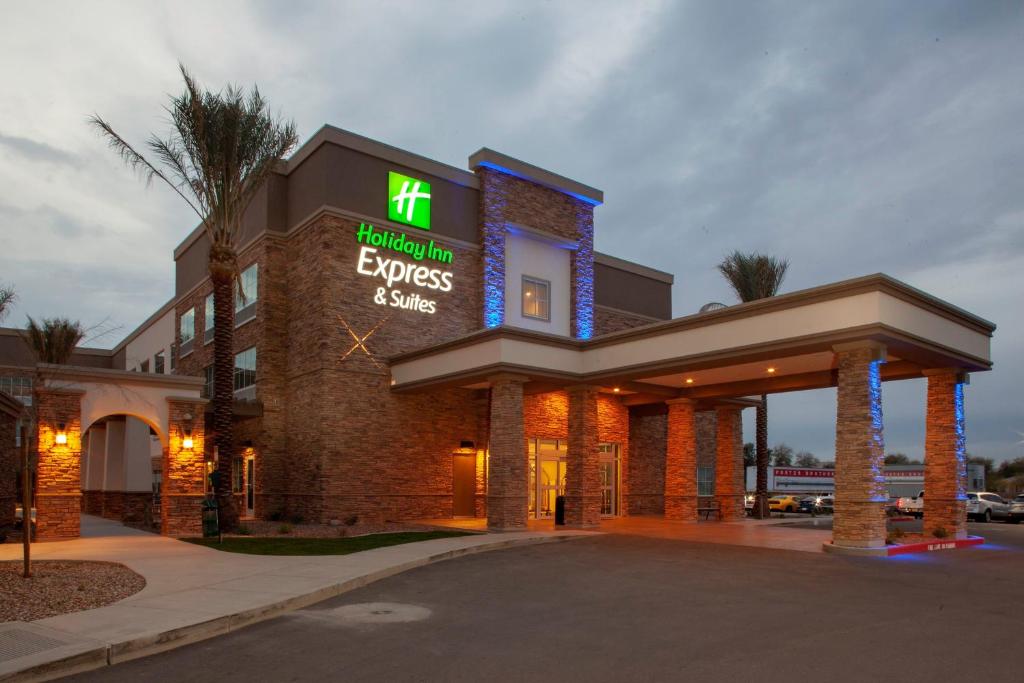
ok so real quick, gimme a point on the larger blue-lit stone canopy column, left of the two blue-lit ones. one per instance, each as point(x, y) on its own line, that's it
point(861, 488)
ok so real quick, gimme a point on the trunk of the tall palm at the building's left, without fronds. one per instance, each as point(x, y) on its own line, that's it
point(223, 275)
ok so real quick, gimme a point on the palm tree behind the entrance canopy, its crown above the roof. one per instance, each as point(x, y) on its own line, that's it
point(754, 277)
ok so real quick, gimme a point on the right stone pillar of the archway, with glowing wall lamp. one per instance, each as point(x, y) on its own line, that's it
point(185, 471)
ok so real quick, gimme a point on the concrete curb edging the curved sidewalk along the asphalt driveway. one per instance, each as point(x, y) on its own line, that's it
point(154, 644)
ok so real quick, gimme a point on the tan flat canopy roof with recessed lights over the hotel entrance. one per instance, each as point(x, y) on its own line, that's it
point(727, 353)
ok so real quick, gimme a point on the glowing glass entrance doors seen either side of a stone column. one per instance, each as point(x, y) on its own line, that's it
point(547, 477)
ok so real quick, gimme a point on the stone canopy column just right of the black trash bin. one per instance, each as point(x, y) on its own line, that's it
point(583, 474)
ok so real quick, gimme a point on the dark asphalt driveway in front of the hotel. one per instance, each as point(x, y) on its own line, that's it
point(630, 609)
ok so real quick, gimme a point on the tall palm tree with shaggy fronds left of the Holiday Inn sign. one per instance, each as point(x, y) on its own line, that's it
point(222, 149)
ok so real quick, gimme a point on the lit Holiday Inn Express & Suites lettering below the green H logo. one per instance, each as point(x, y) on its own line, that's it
point(400, 278)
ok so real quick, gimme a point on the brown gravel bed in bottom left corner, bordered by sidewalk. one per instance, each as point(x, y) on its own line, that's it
point(59, 587)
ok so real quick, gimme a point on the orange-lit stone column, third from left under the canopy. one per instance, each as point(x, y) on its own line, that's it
point(681, 462)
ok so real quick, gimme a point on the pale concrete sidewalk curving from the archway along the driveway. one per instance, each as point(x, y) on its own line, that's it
point(195, 592)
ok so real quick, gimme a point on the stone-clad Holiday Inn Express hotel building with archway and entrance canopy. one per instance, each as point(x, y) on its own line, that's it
point(415, 340)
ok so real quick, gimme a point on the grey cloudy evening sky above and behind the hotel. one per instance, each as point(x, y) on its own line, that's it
point(850, 138)
